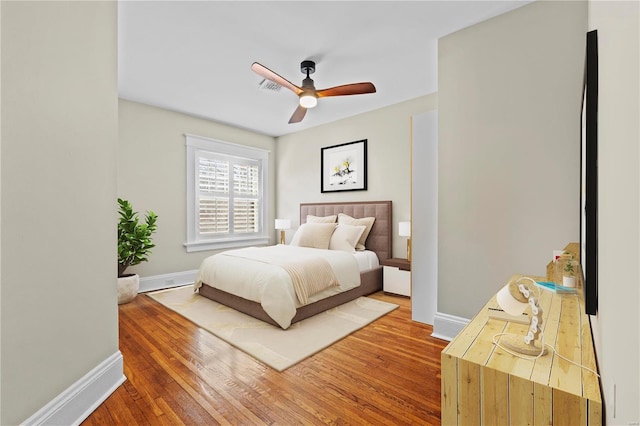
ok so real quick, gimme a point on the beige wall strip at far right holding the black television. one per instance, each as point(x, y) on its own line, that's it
point(617, 325)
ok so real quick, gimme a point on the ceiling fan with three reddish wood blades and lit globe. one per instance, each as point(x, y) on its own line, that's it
point(307, 93)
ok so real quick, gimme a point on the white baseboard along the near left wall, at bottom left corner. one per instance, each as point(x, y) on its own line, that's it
point(79, 400)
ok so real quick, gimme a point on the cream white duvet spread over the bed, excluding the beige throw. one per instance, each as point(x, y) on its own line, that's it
point(270, 285)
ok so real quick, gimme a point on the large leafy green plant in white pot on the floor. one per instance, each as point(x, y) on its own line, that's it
point(134, 245)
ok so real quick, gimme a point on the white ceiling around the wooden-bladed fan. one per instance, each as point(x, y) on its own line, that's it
point(195, 56)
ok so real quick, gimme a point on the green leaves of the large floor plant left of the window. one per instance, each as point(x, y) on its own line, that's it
point(134, 238)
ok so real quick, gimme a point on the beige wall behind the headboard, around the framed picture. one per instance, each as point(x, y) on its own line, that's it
point(388, 134)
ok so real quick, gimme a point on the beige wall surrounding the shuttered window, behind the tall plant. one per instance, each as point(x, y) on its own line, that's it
point(152, 175)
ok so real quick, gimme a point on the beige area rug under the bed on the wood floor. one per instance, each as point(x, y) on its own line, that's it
point(278, 348)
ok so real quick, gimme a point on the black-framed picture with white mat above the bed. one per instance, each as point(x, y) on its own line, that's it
point(344, 167)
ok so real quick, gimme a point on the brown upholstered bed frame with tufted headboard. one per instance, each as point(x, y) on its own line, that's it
point(378, 241)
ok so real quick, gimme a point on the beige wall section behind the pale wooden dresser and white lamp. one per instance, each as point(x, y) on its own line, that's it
point(510, 94)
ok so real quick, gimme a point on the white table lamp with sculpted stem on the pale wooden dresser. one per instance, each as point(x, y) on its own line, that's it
point(514, 298)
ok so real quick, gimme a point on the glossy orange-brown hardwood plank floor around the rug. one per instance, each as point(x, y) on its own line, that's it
point(387, 373)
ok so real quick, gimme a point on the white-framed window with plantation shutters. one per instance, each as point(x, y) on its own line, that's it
point(226, 194)
